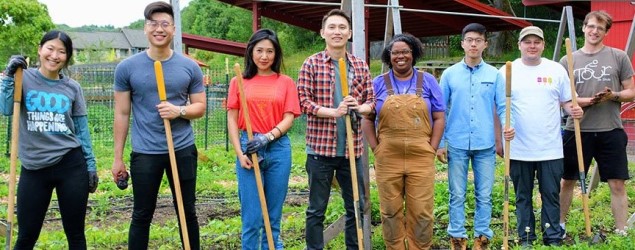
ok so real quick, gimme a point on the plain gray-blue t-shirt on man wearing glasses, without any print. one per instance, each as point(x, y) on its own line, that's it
point(182, 78)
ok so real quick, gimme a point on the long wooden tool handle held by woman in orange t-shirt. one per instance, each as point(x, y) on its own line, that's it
point(254, 157)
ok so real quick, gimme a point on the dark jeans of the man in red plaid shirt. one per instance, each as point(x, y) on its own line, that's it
point(321, 170)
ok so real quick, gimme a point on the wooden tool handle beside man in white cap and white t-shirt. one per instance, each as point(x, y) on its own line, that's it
point(508, 107)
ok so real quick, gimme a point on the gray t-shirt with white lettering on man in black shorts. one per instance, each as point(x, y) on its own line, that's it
point(592, 72)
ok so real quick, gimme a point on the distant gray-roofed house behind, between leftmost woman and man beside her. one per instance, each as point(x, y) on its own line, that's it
point(114, 46)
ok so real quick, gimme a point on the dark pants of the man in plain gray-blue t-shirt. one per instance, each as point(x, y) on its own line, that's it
point(146, 171)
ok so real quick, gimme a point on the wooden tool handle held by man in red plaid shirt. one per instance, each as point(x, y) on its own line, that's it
point(351, 156)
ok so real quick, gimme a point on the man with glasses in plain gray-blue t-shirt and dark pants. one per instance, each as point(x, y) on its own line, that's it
point(136, 92)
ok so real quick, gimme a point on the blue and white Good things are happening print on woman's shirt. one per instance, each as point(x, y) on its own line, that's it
point(45, 112)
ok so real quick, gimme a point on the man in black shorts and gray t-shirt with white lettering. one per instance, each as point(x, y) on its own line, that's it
point(603, 78)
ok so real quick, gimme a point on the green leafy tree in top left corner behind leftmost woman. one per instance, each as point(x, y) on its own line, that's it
point(22, 23)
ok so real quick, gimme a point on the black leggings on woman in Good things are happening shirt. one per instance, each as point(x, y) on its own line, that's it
point(69, 178)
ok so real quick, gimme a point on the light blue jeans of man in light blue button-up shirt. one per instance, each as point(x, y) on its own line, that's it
point(483, 166)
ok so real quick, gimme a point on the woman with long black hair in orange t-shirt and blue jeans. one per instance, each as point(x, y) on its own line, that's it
point(273, 104)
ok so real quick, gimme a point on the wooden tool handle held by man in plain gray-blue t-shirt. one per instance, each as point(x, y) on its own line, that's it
point(158, 71)
